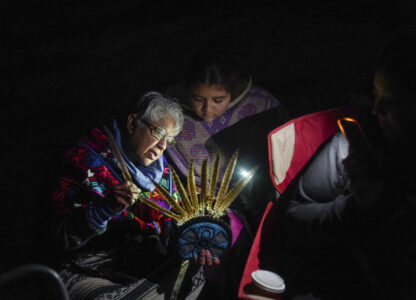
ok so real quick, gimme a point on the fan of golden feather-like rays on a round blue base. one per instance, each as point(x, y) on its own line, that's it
point(201, 217)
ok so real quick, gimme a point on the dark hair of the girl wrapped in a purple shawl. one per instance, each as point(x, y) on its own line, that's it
point(216, 68)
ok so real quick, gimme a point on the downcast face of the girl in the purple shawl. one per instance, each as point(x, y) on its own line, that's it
point(209, 101)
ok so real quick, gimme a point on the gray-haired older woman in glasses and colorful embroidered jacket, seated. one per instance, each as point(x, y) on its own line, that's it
point(105, 242)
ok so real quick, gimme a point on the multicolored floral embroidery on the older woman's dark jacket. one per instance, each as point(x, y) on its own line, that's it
point(91, 171)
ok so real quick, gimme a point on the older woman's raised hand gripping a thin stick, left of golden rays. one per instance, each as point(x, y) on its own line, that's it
point(123, 195)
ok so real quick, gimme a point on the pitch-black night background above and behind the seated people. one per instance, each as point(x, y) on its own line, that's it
point(68, 66)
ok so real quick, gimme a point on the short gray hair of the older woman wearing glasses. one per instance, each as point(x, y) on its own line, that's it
point(154, 106)
